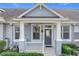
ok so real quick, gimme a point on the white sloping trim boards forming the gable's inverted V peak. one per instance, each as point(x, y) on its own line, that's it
point(52, 11)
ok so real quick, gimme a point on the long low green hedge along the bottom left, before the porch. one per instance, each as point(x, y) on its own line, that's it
point(20, 54)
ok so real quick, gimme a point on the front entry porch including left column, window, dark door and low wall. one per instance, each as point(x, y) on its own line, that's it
point(38, 38)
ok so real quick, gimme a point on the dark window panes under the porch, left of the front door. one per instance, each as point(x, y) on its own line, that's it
point(36, 32)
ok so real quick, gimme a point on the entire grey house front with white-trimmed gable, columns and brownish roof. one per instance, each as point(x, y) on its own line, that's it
point(39, 29)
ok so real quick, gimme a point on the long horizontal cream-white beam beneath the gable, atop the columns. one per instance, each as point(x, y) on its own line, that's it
point(40, 19)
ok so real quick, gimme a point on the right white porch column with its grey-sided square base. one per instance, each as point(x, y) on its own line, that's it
point(58, 41)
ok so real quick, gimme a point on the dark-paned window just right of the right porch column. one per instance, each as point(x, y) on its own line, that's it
point(65, 32)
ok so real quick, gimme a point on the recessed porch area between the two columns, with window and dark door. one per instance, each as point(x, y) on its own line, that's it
point(42, 38)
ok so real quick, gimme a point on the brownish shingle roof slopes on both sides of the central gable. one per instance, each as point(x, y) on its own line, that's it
point(72, 14)
